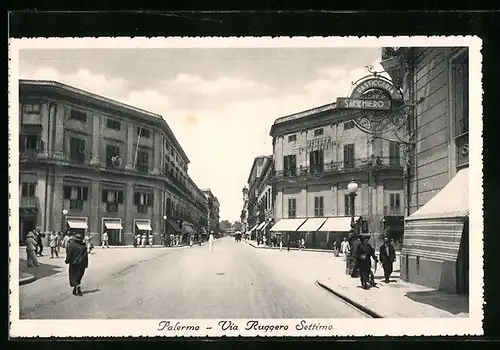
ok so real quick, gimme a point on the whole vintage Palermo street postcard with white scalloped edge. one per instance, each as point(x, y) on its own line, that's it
point(245, 186)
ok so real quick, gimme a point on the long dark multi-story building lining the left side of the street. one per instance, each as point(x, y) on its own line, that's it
point(91, 163)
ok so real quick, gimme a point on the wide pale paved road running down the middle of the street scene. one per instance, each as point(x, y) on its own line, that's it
point(234, 281)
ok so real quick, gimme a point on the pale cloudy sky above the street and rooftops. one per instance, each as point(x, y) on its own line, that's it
point(220, 103)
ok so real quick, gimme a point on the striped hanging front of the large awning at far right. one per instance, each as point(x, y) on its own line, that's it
point(434, 239)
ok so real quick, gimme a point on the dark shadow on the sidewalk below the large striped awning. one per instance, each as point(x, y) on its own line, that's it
point(452, 303)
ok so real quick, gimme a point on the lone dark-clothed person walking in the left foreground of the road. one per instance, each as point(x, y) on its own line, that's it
point(78, 260)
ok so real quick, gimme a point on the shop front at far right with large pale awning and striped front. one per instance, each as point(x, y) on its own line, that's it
point(435, 245)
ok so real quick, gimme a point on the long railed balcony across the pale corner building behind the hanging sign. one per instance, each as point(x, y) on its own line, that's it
point(360, 164)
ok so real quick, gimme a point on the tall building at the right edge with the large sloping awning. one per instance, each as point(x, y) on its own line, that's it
point(435, 81)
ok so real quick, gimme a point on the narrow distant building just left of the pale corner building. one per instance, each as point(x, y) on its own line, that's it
point(260, 196)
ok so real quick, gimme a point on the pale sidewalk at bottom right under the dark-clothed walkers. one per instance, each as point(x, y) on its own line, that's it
point(395, 299)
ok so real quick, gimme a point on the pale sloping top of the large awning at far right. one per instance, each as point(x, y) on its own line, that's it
point(451, 202)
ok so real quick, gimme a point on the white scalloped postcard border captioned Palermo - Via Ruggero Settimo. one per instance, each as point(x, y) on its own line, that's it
point(340, 327)
